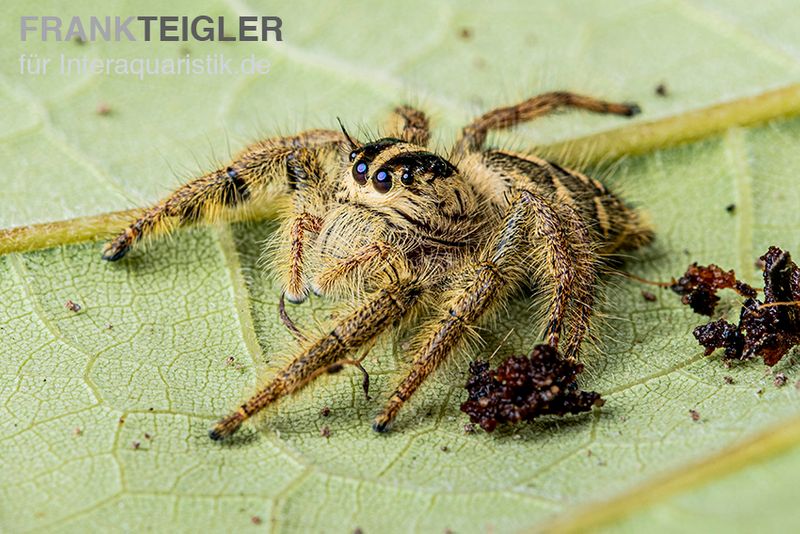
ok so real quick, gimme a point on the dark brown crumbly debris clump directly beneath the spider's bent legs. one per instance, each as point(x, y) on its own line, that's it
point(523, 388)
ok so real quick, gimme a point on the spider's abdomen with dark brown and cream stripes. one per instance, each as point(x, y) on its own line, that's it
point(615, 225)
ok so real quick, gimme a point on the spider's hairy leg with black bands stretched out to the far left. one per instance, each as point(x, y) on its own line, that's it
point(262, 172)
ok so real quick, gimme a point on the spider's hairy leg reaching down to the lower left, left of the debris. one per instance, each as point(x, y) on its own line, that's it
point(386, 308)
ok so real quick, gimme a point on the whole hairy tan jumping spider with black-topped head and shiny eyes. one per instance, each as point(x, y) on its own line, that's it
point(414, 237)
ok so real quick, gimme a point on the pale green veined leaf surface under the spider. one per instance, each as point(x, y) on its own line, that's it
point(146, 359)
